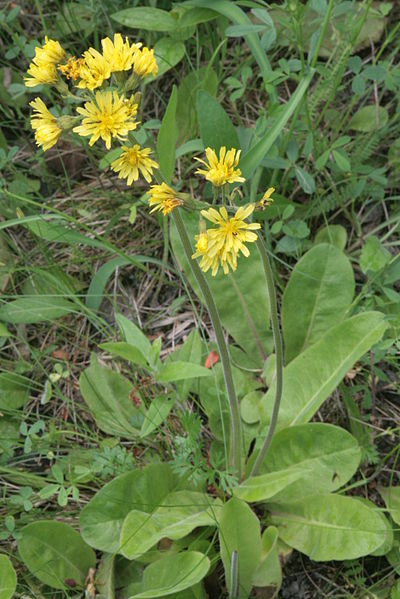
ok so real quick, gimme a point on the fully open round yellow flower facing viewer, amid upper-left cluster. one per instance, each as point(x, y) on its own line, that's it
point(106, 117)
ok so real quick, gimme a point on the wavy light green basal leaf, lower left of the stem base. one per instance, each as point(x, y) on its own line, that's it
point(179, 514)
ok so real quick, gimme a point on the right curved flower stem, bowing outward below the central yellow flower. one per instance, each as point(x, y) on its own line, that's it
point(278, 352)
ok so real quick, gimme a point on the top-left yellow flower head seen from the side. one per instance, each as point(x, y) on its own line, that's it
point(43, 66)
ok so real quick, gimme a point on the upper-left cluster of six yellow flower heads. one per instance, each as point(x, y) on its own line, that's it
point(106, 114)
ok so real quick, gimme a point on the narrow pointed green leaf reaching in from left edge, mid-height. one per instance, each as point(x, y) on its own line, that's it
point(33, 309)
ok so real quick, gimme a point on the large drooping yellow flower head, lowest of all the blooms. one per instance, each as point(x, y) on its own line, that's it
point(226, 241)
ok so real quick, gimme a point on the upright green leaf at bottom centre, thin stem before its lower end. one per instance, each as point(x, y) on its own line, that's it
point(239, 531)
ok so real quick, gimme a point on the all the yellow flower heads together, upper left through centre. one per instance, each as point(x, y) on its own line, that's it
point(104, 83)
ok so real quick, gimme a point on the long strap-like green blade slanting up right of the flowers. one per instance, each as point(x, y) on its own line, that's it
point(251, 160)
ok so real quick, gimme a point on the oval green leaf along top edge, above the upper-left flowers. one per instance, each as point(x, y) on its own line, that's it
point(147, 18)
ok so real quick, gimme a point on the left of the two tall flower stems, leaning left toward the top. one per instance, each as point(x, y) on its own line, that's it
point(236, 436)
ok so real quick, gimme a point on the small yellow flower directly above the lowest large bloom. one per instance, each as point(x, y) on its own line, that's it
point(221, 170)
